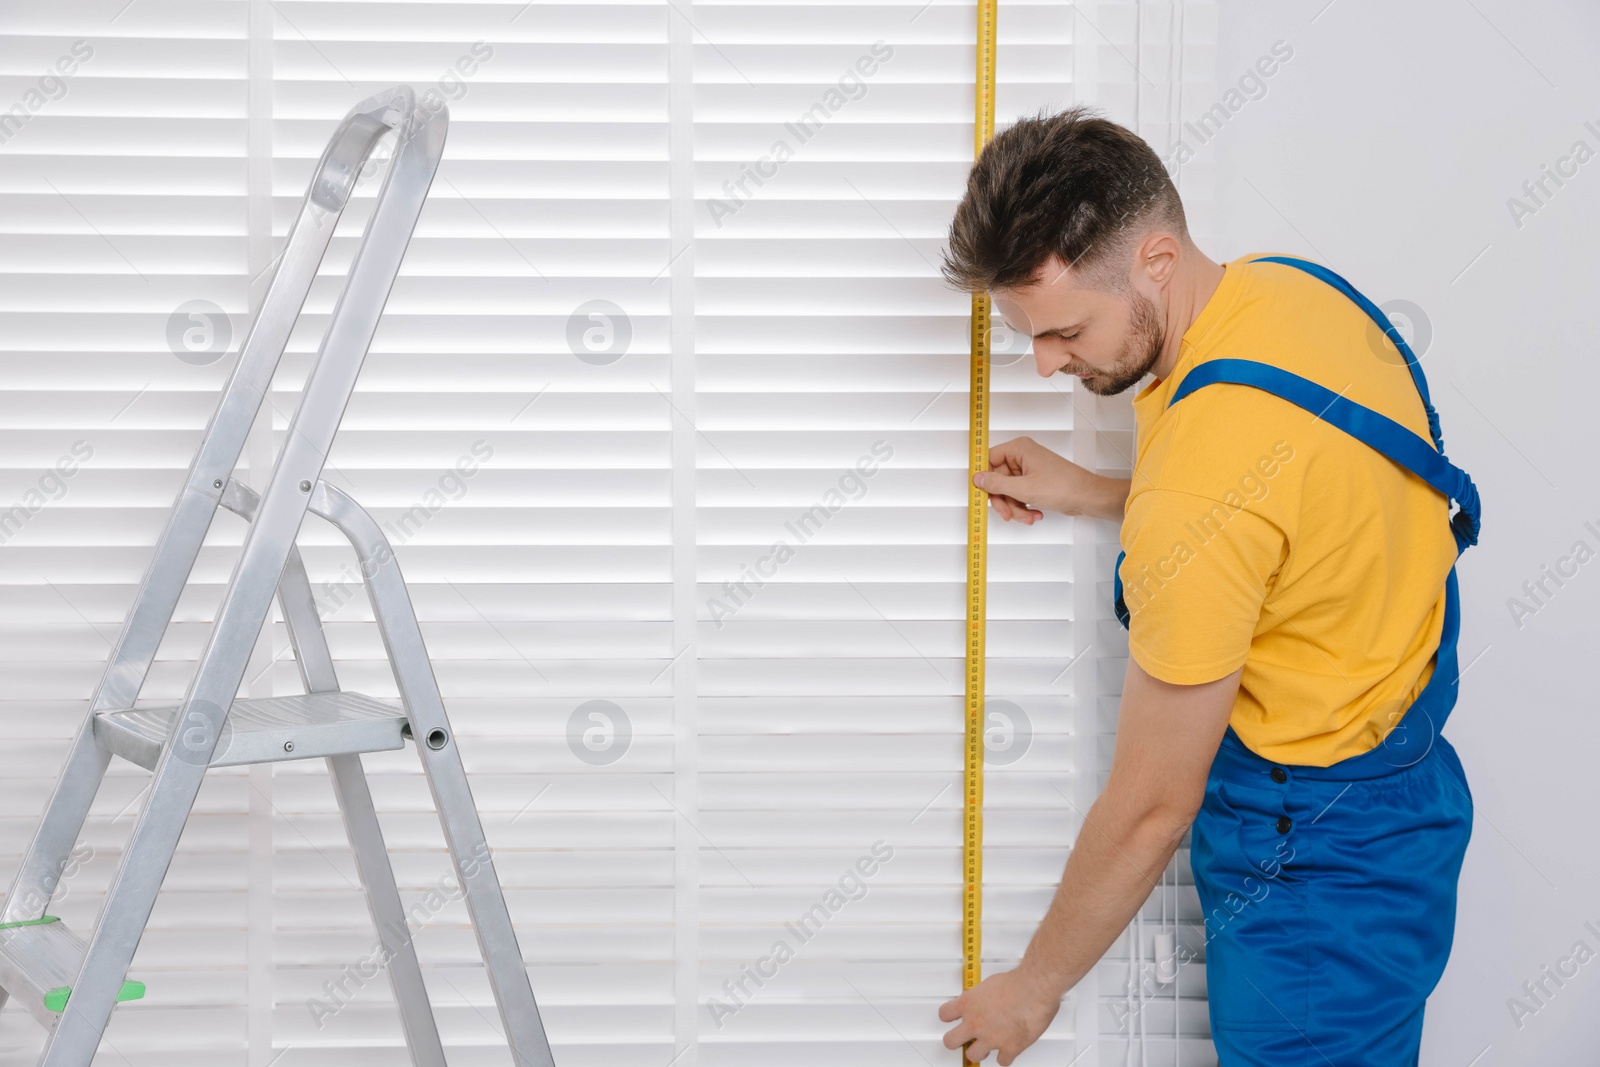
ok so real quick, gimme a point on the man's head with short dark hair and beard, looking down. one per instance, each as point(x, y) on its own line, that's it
point(1073, 225)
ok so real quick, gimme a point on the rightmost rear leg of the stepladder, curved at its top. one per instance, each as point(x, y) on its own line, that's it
point(447, 780)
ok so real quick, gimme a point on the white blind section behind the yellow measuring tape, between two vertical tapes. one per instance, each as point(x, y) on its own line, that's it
point(833, 396)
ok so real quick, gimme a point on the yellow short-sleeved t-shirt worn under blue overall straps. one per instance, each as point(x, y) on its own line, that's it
point(1260, 537)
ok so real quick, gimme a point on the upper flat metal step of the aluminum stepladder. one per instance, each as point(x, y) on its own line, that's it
point(265, 730)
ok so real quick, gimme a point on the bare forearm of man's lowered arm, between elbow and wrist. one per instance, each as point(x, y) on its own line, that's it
point(1110, 874)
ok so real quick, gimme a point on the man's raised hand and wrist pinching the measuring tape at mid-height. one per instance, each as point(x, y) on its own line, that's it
point(1026, 479)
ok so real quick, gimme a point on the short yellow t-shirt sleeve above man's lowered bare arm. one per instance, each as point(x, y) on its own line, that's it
point(1194, 578)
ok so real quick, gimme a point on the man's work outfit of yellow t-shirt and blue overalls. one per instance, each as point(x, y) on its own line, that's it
point(1290, 518)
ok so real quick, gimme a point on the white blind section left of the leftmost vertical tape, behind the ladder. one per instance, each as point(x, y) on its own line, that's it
point(126, 188)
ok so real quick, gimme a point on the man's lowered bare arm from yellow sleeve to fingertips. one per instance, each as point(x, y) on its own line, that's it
point(1167, 738)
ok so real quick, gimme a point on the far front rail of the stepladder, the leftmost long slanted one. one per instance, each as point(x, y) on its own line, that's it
point(180, 543)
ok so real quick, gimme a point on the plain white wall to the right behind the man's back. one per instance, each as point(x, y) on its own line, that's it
point(1388, 148)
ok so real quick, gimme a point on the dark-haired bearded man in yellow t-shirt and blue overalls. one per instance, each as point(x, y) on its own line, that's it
point(1290, 602)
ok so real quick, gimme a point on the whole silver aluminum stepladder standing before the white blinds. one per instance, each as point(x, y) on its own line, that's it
point(70, 986)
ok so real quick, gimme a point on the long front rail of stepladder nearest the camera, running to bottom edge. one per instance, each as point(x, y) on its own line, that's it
point(260, 565)
